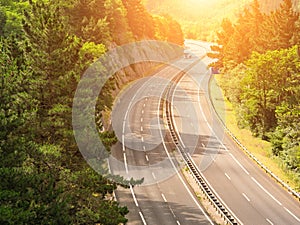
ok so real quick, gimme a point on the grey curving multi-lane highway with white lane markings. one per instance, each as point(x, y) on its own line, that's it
point(146, 150)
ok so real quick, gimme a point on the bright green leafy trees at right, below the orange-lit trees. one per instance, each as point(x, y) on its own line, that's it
point(265, 92)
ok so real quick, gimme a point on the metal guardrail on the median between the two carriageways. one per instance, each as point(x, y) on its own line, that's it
point(206, 189)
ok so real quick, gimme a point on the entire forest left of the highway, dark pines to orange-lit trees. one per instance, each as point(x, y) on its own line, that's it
point(45, 48)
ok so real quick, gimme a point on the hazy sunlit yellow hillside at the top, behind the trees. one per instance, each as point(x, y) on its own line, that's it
point(201, 19)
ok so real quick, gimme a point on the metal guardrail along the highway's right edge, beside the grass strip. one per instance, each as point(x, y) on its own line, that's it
point(266, 169)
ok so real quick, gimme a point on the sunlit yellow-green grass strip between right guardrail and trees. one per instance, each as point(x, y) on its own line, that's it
point(262, 150)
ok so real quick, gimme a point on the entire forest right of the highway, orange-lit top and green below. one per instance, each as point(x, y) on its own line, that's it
point(259, 57)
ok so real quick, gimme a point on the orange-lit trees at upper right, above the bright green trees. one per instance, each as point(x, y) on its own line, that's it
point(255, 31)
